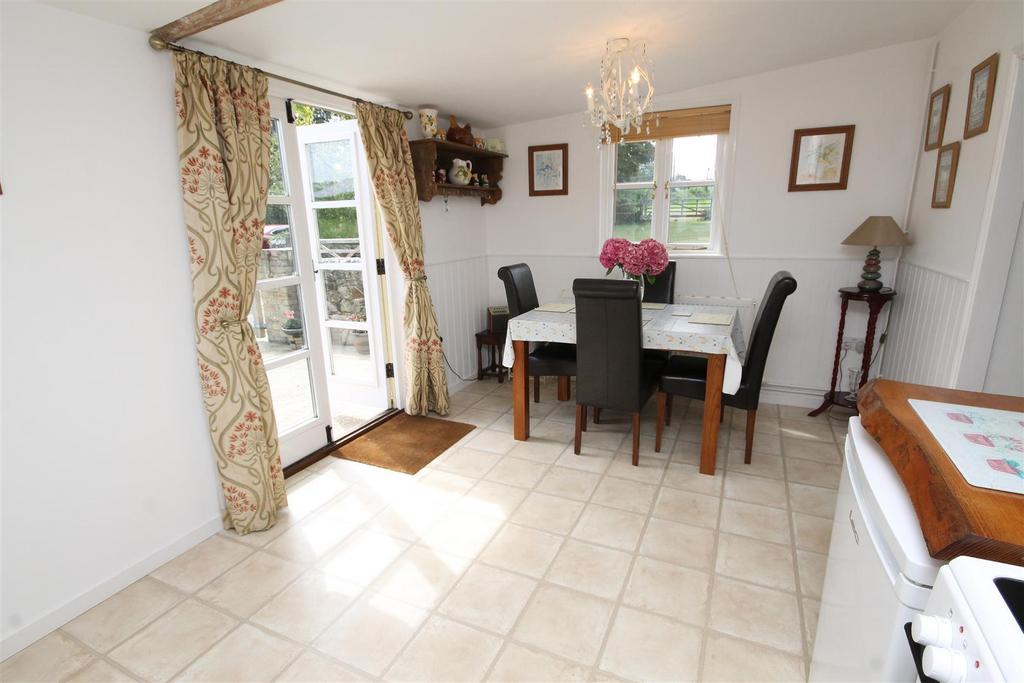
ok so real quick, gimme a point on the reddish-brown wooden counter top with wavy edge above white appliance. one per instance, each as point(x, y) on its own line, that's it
point(956, 518)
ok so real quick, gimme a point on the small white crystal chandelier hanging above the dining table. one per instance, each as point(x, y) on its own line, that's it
point(626, 89)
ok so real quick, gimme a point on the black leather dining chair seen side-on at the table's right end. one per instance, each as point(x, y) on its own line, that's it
point(687, 376)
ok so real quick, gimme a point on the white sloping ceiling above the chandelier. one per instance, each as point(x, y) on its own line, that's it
point(501, 63)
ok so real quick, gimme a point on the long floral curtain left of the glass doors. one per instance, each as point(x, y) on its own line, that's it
point(224, 147)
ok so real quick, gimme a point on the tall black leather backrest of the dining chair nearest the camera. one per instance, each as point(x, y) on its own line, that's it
point(610, 347)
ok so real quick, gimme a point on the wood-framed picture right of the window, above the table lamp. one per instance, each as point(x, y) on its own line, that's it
point(821, 158)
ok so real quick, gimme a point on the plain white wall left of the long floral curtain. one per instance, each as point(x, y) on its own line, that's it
point(107, 464)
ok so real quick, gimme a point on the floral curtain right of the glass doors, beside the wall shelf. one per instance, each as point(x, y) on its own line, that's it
point(392, 169)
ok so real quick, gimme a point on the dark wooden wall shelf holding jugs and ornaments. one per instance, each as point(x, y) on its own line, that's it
point(430, 154)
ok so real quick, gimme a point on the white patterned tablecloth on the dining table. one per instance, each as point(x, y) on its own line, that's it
point(662, 330)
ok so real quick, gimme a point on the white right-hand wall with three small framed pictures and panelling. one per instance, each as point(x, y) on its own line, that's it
point(943, 296)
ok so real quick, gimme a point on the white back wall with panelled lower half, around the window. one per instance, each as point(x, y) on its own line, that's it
point(767, 228)
